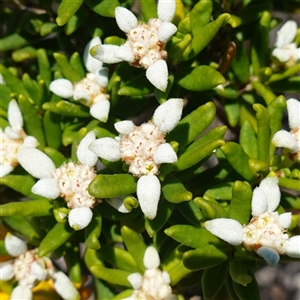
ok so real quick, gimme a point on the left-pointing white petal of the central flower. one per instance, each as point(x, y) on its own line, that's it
point(106, 148)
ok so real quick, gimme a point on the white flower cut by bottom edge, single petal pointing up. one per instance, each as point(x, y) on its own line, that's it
point(154, 284)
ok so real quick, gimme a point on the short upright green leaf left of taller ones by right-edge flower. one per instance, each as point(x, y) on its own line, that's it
point(248, 139)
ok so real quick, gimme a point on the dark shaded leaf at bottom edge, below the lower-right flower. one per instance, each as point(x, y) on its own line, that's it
point(213, 279)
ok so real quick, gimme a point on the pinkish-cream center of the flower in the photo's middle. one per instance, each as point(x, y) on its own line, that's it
point(138, 147)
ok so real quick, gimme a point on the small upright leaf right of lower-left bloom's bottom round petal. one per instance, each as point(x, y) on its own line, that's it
point(93, 231)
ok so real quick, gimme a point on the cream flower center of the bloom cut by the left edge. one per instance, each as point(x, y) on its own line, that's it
point(9, 148)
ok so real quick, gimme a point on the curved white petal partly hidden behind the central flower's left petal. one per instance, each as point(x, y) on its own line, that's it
point(84, 154)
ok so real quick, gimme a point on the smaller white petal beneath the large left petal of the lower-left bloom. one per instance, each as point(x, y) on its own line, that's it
point(46, 187)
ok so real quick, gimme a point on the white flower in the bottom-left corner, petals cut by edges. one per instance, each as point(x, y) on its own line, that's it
point(28, 269)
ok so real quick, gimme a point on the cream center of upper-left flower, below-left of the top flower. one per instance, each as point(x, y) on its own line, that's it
point(89, 90)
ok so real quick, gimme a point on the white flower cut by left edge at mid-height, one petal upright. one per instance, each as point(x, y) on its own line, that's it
point(12, 138)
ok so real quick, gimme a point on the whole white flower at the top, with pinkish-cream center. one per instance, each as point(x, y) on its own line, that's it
point(145, 43)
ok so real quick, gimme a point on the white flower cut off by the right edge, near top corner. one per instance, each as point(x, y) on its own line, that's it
point(286, 52)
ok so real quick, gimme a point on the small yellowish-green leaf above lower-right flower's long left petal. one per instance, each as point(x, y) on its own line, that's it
point(211, 209)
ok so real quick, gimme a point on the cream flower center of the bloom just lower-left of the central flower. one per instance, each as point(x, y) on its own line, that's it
point(73, 180)
